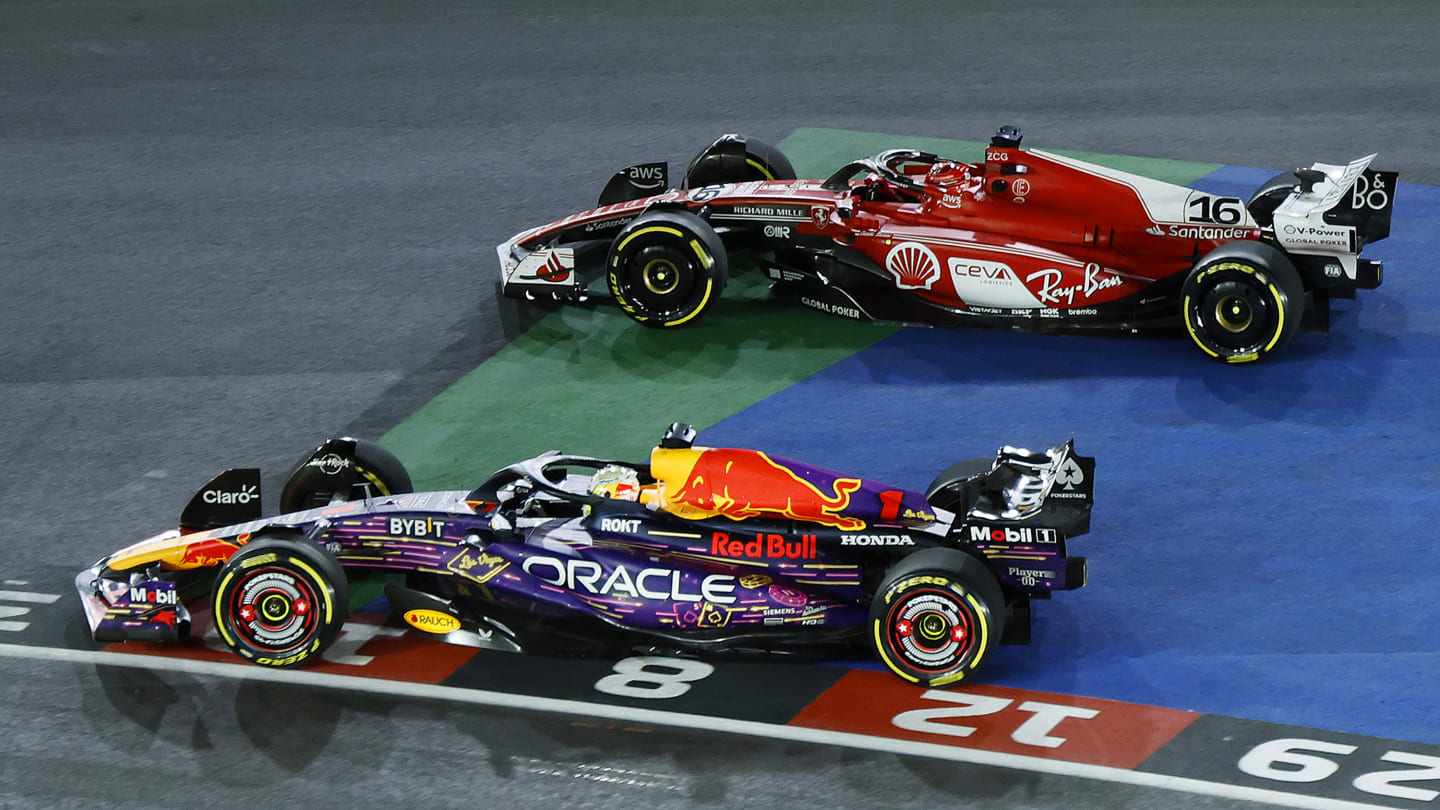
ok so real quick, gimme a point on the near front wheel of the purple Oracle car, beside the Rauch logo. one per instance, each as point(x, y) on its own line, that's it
point(280, 600)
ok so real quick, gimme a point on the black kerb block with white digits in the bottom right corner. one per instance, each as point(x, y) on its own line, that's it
point(1308, 762)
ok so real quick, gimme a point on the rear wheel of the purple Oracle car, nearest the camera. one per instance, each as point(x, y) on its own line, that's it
point(937, 618)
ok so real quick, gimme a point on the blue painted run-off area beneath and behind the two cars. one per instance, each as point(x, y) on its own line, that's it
point(1265, 540)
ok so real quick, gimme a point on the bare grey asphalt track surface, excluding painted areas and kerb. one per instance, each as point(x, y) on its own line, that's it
point(228, 230)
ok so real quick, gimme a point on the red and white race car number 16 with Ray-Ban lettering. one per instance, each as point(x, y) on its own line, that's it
point(1025, 240)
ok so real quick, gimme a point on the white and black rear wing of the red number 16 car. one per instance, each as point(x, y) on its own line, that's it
point(1337, 210)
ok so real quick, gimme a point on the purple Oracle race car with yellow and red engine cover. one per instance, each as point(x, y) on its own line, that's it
point(701, 551)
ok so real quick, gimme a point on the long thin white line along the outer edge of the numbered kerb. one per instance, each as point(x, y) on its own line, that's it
point(703, 723)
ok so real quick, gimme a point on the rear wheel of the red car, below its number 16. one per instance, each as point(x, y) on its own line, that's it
point(1242, 302)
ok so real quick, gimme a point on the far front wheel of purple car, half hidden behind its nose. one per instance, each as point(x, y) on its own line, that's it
point(335, 471)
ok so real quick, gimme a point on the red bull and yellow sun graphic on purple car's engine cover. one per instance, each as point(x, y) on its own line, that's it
point(748, 484)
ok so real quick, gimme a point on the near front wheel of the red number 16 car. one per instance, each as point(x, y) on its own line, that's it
point(666, 269)
